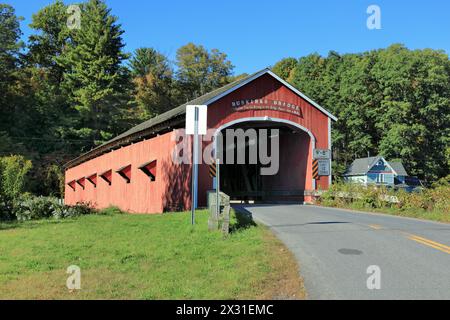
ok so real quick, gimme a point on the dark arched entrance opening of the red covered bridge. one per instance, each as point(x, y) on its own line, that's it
point(283, 179)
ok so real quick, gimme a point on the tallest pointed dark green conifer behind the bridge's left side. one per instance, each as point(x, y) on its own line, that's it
point(95, 76)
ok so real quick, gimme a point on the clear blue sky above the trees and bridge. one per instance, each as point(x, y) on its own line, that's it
point(256, 34)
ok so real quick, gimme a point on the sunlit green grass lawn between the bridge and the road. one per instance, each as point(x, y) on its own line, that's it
point(125, 256)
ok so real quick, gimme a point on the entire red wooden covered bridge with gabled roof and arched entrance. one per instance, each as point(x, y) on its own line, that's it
point(136, 172)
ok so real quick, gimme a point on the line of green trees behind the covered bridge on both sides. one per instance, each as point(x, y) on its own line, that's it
point(66, 90)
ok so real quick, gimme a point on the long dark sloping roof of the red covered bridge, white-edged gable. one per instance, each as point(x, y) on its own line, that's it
point(176, 116)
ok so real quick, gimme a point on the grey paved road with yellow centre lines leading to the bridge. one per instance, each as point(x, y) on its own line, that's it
point(335, 247)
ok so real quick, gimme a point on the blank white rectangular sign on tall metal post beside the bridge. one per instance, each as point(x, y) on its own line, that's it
point(196, 124)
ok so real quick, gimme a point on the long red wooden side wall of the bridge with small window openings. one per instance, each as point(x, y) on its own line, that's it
point(140, 195)
